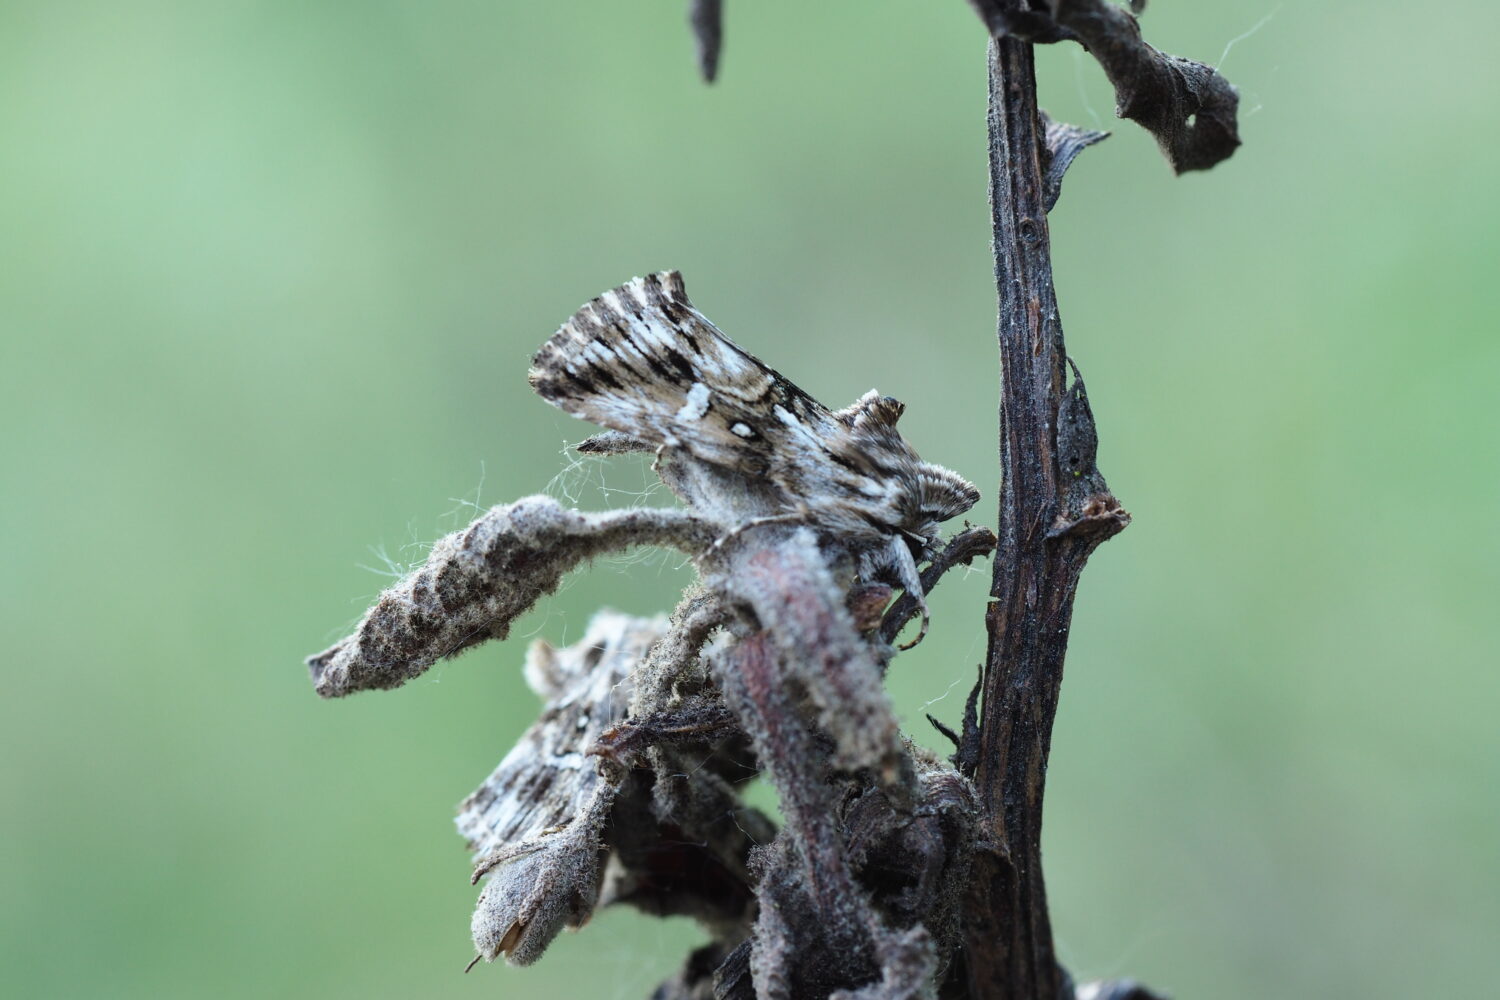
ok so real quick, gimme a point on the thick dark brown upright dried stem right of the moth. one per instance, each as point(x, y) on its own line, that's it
point(1055, 510)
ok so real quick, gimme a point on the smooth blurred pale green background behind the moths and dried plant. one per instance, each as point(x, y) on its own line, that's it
point(271, 275)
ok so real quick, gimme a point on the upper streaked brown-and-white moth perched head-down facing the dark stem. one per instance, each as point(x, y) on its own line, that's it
point(737, 440)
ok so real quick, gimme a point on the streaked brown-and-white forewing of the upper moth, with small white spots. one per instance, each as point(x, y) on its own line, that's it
point(643, 362)
